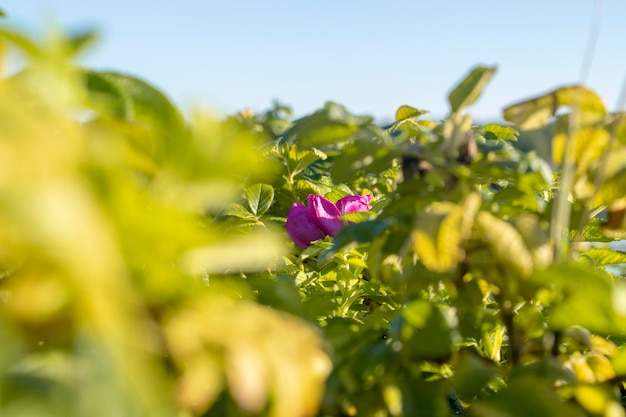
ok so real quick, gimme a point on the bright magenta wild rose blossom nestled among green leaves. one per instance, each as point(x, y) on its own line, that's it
point(321, 218)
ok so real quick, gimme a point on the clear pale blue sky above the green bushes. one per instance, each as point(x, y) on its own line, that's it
point(371, 56)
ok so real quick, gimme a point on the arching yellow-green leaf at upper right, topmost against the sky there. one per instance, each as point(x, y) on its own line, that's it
point(536, 112)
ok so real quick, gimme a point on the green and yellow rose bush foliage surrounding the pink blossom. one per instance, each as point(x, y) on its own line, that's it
point(145, 268)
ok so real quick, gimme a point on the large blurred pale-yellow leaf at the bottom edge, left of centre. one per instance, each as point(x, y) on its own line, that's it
point(274, 360)
